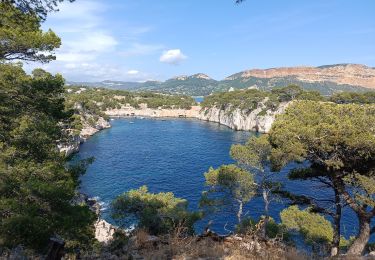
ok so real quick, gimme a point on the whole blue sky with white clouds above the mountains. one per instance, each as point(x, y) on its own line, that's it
point(143, 40)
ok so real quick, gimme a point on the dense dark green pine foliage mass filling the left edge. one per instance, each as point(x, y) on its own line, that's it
point(36, 187)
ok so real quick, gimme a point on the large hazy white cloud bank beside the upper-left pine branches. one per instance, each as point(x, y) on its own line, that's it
point(91, 44)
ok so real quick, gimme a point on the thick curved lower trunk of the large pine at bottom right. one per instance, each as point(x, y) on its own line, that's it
point(362, 238)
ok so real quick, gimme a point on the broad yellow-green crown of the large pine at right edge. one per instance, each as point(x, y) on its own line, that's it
point(337, 136)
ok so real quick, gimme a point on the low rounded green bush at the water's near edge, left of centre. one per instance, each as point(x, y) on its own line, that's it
point(159, 213)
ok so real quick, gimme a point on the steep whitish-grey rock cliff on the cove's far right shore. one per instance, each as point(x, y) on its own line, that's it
point(259, 120)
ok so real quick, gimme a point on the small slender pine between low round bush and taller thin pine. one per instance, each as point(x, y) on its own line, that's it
point(229, 184)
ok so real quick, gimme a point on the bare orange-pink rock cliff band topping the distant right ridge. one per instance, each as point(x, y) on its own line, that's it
point(350, 74)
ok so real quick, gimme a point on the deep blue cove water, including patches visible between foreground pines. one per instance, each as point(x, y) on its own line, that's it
point(172, 155)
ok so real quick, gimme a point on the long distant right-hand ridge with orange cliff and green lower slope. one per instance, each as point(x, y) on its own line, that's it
point(326, 79)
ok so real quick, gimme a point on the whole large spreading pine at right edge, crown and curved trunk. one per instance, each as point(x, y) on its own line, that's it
point(339, 142)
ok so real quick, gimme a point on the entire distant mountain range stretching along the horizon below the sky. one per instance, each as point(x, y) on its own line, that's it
point(326, 79)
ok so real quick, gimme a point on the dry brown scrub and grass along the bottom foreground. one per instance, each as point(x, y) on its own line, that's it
point(178, 246)
